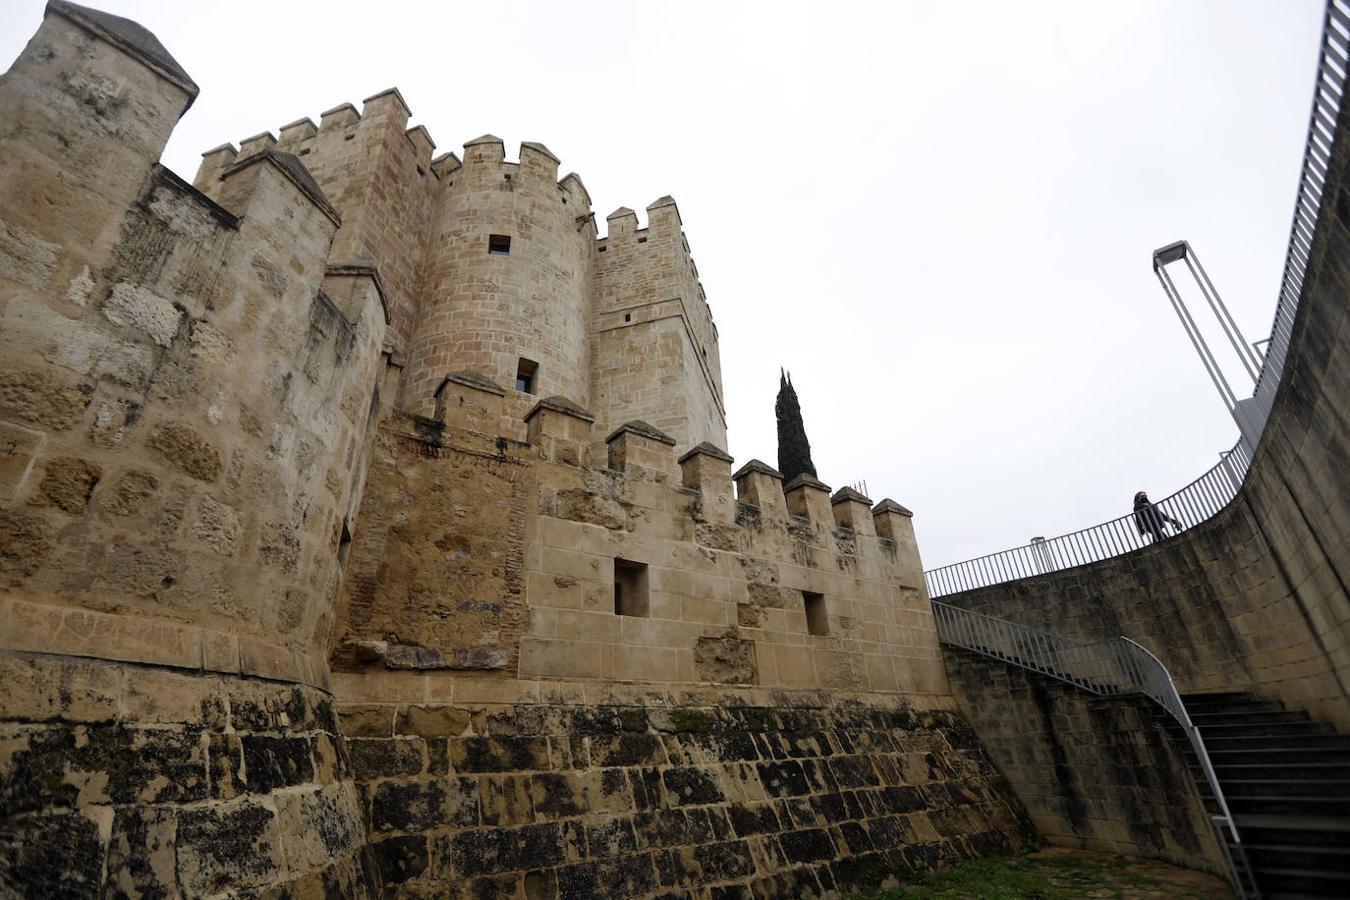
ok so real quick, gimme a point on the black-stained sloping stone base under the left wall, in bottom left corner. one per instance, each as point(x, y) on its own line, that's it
point(136, 782)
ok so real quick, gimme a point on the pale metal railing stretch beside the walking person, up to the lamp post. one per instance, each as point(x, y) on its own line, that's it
point(1194, 504)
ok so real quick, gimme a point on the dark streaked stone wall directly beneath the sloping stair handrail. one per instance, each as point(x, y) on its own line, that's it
point(1093, 772)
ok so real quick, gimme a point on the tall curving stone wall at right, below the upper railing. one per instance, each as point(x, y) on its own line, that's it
point(1256, 597)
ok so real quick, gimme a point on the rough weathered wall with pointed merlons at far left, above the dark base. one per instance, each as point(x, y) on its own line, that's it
point(186, 403)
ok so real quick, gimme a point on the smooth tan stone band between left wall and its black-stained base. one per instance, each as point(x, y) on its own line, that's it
point(67, 631)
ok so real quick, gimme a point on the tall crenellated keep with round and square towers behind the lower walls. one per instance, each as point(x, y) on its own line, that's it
point(619, 325)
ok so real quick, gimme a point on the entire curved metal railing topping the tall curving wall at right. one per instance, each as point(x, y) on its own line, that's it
point(1214, 490)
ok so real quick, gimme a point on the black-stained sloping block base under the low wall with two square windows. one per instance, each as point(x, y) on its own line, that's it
point(701, 802)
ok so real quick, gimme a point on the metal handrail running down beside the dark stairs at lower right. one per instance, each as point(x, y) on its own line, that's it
point(1112, 667)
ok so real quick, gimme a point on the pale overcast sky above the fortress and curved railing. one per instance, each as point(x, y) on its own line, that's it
point(938, 215)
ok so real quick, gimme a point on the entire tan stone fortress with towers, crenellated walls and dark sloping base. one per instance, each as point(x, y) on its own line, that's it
point(367, 531)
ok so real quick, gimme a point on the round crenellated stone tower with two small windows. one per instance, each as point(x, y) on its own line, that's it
point(507, 277)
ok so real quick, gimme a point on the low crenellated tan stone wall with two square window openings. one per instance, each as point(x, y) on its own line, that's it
point(805, 590)
